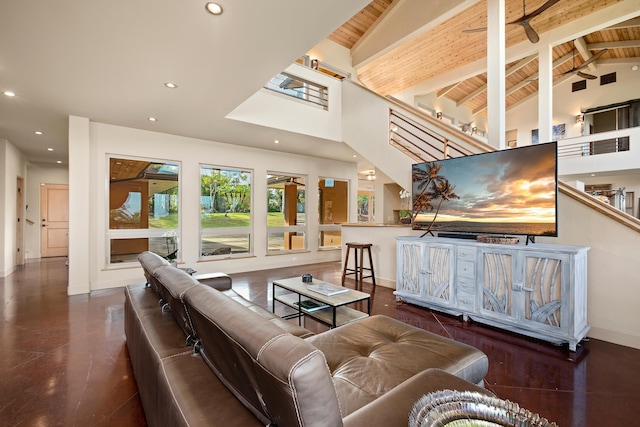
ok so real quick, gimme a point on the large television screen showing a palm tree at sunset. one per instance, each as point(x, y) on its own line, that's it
point(510, 191)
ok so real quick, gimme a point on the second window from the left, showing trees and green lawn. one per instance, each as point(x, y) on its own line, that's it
point(225, 212)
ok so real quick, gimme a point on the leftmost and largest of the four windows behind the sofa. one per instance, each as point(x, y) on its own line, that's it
point(143, 209)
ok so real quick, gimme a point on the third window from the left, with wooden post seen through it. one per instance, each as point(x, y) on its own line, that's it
point(286, 213)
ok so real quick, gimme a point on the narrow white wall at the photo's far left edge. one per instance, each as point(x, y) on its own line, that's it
point(14, 166)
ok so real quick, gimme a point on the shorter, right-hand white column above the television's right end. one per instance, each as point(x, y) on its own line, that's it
point(545, 93)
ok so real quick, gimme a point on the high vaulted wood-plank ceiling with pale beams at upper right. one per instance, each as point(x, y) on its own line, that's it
point(429, 53)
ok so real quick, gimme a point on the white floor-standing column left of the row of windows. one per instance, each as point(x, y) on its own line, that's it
point(79, 206)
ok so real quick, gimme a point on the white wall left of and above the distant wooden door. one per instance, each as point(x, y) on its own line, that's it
point(38, 174)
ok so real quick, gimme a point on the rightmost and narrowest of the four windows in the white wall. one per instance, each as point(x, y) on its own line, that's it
point(333, 202)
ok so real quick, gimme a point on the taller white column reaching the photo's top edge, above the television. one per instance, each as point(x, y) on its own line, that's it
point(496, 72)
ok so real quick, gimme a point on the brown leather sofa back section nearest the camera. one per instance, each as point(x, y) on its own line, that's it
point(281, 378)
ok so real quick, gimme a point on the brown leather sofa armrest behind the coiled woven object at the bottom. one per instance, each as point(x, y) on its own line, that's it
point(393, 408)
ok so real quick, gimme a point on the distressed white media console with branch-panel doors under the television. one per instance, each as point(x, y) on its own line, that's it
point(538, 290)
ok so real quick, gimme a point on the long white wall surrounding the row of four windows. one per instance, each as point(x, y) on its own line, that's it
point(189, 153)
